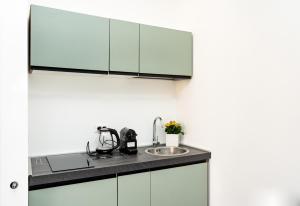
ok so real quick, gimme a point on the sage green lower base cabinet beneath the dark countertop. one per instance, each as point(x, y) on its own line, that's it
point(178, 186)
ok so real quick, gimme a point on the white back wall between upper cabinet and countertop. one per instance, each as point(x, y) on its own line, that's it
point(65, 109)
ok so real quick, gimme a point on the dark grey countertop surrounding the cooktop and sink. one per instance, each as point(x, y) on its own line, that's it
point(119, 164)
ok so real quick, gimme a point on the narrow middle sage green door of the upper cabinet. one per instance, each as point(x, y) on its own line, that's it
point(124, 46)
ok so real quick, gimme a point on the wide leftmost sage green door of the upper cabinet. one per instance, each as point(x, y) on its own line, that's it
point(65, 39)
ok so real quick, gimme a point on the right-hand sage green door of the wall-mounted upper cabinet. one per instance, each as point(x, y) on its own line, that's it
point(165, 51)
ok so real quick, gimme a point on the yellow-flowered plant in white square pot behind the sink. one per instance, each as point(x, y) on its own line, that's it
point(173, 130)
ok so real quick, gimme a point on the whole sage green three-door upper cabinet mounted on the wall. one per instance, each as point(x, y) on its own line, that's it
point(67, 41)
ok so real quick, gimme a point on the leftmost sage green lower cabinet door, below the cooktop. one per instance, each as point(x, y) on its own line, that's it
point(96, 193)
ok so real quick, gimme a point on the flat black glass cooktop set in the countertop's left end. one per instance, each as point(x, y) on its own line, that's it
point(66, 162)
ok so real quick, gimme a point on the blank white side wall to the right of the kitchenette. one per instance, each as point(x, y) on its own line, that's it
point(243, 102)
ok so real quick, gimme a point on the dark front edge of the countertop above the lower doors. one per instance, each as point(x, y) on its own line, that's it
point(92, 174)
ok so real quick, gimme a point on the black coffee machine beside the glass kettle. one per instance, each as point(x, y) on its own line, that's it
point(128, 143)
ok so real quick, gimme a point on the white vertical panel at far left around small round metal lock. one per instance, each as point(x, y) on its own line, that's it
point(13, 102)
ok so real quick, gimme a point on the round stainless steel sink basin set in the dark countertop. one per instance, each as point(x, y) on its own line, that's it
point(167, 151)
